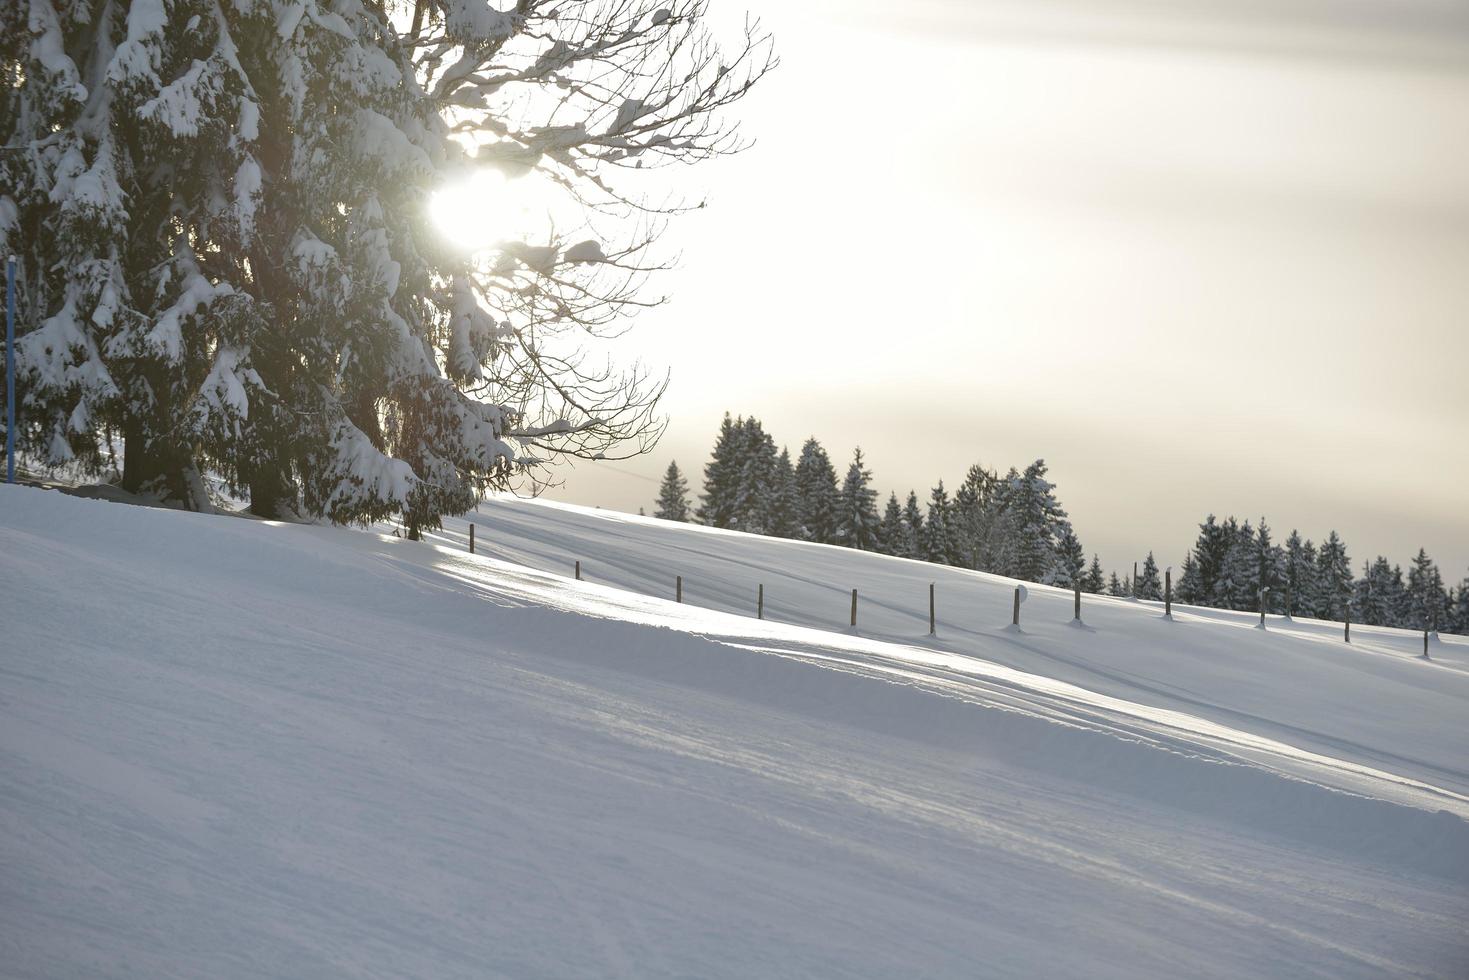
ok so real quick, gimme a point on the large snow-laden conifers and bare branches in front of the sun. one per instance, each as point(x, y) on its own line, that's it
point(227, 264)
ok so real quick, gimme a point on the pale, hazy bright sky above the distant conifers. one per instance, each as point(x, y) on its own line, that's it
point(1202, 258)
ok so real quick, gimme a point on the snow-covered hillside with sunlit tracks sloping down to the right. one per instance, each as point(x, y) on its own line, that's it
point(231, 749)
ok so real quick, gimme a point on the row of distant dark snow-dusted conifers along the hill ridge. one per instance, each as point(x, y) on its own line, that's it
point(1014, 525)
